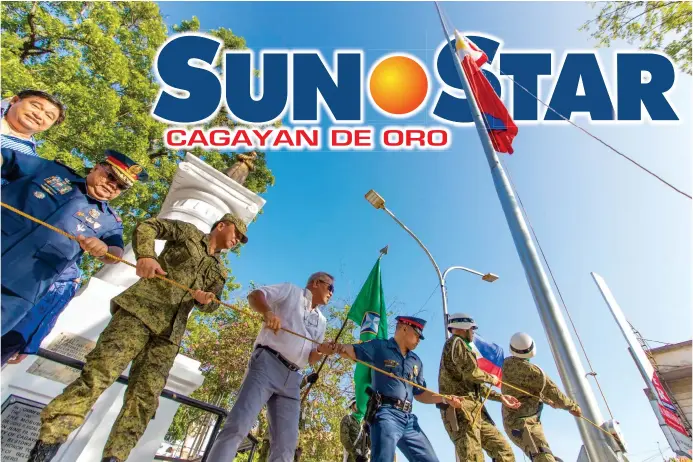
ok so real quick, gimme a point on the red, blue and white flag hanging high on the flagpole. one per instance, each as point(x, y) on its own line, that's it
point(500, 126)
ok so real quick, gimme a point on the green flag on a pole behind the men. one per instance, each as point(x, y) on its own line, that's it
point(368, 311)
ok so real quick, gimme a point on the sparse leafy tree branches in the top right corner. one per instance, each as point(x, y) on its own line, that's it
point(657, 25)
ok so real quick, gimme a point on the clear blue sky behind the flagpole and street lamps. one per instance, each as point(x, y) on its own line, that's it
point(592, 210)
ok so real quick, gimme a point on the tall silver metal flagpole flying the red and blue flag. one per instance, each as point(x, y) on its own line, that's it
point(562, 346)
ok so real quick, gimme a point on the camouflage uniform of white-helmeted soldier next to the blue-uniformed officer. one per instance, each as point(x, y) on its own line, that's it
point(459, 375)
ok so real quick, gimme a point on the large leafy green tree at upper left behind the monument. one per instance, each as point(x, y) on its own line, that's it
point(97, 57)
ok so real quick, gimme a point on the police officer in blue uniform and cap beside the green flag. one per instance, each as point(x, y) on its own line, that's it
point(394, 425)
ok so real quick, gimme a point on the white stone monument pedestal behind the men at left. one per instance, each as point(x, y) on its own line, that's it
point(199, 195)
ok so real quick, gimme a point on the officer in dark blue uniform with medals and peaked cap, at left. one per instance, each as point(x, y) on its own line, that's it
point(33, 256)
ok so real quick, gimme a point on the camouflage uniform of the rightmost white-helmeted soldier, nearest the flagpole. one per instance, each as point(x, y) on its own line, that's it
point(523, 425)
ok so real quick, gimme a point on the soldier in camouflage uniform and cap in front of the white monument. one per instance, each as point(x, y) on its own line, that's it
point(147, 326)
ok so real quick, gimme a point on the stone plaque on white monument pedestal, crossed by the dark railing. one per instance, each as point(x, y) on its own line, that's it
point(67, 344)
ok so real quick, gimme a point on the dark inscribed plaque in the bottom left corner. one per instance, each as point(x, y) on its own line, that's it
point(20, 428)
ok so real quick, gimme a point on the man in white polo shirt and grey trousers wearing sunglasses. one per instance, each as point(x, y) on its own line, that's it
point(273, 376)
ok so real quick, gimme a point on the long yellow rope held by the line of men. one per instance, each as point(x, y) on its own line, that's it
point(246, 312)
